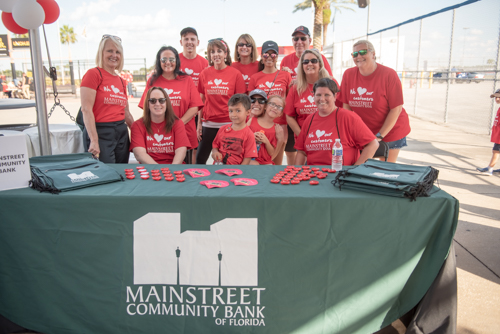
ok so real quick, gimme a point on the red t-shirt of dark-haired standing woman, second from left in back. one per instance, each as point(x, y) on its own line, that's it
point(183, 95)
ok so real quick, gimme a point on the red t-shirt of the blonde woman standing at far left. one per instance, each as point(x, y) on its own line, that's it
point(110, 99)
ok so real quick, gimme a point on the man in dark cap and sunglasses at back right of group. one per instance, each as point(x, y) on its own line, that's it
point(301, 40)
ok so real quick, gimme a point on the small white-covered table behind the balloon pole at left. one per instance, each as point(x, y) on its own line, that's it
point(64, 139)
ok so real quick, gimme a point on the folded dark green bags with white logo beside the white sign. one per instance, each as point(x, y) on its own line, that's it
point(65, 172)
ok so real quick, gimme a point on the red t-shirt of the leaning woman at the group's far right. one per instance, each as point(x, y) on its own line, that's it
point(373, 96)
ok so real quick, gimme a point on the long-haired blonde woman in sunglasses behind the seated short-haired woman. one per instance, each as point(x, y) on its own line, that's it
point(300, 99)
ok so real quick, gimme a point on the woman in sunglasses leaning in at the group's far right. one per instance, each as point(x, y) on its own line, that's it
point(374, 92)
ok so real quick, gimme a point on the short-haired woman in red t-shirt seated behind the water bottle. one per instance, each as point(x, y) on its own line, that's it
point(330, 123)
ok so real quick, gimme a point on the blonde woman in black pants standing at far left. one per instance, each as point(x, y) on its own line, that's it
point(105, 106)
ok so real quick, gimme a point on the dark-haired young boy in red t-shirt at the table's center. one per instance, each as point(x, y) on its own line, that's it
point(235, 142)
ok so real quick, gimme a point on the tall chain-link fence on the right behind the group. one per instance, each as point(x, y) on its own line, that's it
point(449, 64)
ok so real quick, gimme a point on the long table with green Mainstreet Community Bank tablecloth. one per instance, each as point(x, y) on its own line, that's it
point(260, 259)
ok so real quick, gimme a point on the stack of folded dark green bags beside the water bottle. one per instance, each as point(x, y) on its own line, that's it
point(390, 179)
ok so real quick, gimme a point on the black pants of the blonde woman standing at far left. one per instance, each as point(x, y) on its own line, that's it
point(113, 142)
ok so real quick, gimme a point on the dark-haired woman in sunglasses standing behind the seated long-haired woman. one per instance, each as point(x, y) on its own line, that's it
point(180, 88)
